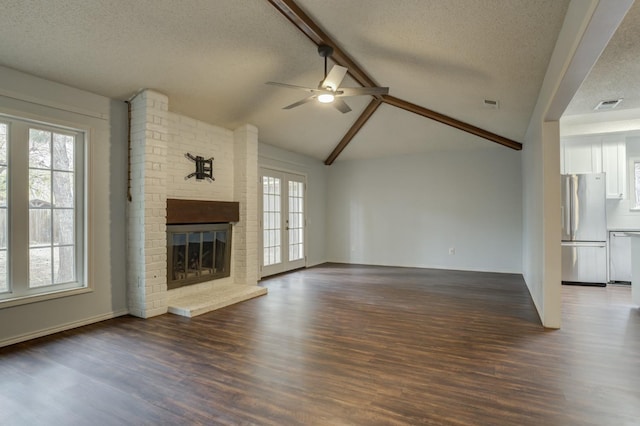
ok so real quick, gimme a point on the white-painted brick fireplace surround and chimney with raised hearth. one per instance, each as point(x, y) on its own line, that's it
point(158, 167)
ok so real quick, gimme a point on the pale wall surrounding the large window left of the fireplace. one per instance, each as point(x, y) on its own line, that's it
point(25, 95)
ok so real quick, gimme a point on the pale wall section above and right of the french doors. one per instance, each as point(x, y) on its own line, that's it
point(316, 173)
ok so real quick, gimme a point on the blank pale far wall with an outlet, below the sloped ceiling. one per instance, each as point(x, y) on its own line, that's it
point(410, 210)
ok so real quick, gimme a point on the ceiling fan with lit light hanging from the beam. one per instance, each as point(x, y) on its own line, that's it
point(329, 90)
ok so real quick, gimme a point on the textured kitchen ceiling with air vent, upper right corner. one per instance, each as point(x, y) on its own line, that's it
point(617, 73)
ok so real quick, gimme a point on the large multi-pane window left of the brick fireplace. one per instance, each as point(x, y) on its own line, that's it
point(41, 208)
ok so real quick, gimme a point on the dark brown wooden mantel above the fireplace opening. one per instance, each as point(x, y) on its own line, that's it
point(196, 211)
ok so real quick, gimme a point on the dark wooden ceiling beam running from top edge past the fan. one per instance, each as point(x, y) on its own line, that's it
point(312, 30)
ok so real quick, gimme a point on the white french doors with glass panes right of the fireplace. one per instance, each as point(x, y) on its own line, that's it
point(282, 222)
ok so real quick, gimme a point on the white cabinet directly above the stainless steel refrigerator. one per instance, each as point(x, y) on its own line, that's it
point(581, 155)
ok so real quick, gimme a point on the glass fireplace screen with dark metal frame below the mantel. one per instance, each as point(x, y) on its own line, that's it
point(197, 253)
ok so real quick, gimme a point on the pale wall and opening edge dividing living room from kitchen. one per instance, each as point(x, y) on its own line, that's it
point(541, 261)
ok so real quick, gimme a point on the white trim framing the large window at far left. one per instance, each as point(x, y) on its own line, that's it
point(54, 119)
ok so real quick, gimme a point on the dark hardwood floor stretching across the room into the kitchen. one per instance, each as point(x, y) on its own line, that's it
point(344, 345)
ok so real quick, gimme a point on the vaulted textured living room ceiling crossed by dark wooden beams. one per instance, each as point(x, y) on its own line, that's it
point(212, 58)
